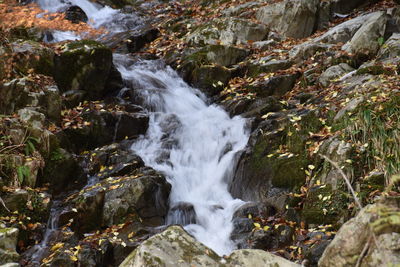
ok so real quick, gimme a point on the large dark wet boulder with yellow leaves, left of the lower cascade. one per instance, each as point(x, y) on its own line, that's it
point(141, 195)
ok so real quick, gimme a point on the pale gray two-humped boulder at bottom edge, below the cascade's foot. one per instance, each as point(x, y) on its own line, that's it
point(175, 247)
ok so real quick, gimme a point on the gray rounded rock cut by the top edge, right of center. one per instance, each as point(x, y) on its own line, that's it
point(290, 18)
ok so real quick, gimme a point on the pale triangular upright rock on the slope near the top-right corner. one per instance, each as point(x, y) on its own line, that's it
point(366, 40)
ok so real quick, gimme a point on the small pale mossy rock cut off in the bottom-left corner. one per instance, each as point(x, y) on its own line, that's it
point(8, 245)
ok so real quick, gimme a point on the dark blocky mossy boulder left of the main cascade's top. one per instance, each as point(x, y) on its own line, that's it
point(87, 66)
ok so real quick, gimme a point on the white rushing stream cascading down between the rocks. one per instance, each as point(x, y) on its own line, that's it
point(194, 144)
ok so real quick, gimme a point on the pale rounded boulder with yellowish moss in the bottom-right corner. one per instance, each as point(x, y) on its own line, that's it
point(374, 222)
